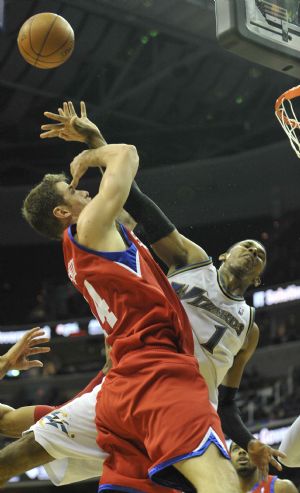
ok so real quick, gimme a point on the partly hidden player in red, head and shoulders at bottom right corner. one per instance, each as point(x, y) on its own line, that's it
point(250, 478)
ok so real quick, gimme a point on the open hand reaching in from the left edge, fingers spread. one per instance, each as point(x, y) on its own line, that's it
point(17, 356)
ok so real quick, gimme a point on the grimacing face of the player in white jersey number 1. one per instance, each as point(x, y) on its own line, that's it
point(247, 258)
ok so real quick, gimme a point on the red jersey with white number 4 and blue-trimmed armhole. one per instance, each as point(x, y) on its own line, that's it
point(129, 295)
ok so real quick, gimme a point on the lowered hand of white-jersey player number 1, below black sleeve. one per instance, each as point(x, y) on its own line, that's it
point(262, 456)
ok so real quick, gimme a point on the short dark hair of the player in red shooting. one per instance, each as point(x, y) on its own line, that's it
point(39, 204)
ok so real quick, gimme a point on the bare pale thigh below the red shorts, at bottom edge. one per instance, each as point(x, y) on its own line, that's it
point(210, 472)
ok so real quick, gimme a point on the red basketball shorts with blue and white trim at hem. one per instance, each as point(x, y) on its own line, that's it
point(153, 411)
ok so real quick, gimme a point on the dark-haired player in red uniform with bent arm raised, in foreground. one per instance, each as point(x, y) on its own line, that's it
point(154, 417)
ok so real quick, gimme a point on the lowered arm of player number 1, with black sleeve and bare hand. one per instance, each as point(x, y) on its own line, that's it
point(260, 454)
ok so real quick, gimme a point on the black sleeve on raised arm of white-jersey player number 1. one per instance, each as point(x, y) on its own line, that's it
point(152, 221)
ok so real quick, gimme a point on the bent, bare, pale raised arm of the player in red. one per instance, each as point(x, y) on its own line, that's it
point(97, 219)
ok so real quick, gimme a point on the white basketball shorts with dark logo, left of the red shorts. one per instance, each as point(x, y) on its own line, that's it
point(69, 435)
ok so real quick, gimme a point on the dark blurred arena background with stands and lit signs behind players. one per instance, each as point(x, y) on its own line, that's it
point(200, 111)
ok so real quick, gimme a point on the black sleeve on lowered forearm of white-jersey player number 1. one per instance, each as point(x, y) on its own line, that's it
point(231, 421)
